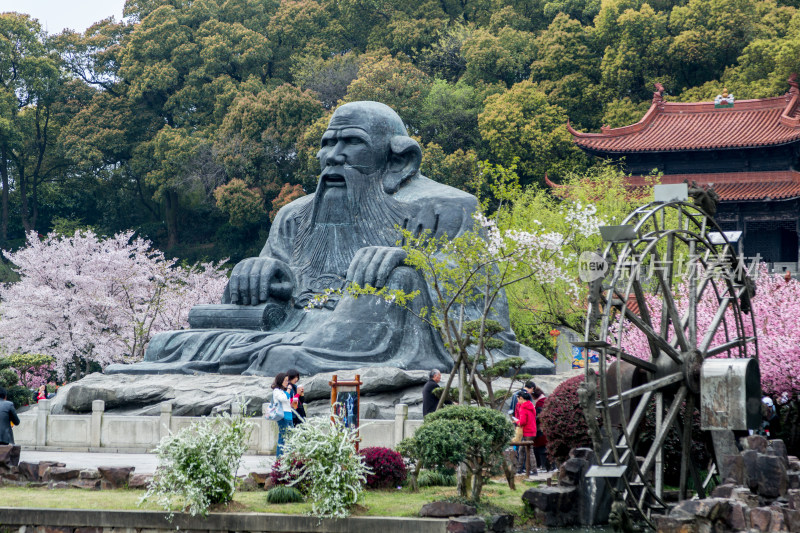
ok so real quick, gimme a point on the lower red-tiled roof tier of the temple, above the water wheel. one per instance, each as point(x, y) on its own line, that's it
point(730, 186)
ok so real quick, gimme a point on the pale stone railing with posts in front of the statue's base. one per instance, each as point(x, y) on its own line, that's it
point(100, 431)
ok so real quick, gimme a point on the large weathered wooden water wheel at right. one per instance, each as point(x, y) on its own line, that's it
point(675, 283)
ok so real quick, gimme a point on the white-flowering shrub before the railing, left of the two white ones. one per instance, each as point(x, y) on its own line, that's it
point(197, 466)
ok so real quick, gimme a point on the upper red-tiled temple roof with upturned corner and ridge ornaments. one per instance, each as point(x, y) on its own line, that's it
point(669, 126)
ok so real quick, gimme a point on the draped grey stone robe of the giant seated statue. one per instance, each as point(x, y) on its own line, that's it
point(346, 334)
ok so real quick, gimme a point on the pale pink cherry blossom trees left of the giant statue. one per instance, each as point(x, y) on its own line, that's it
point(100, 299)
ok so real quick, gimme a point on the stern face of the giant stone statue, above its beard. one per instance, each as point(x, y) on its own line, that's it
point(350, 141)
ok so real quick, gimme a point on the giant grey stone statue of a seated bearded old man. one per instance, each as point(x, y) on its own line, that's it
point(346, 231)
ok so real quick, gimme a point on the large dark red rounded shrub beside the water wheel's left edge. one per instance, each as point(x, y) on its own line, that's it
point(563, 422)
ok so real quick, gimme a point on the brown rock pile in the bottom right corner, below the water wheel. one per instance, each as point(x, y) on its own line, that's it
point(761, 492)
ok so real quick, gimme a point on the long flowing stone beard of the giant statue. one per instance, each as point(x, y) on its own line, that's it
point(339, 222)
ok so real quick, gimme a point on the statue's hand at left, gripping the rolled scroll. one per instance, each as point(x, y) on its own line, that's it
point(256, 279)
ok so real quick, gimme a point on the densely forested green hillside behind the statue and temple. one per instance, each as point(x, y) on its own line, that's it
point(193, 121)
